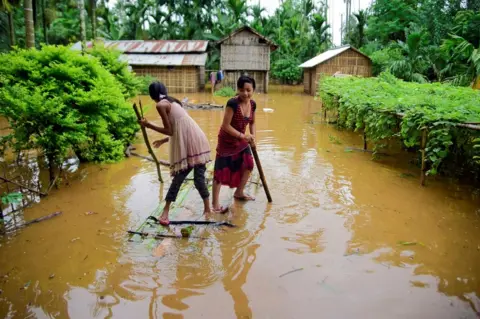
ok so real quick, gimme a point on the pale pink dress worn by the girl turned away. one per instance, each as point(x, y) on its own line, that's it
point(189, 146)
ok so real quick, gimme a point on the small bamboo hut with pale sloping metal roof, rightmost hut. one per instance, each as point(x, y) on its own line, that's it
point(344, 60)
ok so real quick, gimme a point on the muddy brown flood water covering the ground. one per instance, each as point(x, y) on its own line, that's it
point(345, 237)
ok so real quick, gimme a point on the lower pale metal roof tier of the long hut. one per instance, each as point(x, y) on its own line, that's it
point(165, 59)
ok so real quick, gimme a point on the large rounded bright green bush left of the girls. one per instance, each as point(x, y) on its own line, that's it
point(57, 101)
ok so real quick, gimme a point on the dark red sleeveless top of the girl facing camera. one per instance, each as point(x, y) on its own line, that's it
point(229, 145)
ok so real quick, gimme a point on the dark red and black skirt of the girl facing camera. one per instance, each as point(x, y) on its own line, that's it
point(229, 169)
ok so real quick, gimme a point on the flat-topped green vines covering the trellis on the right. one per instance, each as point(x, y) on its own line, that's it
point(372, 104)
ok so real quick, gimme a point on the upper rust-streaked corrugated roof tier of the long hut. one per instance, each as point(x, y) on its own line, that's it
point(154, 46)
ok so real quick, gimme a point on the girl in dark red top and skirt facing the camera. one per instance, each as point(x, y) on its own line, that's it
point(234, 160)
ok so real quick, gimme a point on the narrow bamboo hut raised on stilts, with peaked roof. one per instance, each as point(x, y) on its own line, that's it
point(245, 51)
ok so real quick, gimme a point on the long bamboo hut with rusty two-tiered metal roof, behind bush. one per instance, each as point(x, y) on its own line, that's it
point(179, 64)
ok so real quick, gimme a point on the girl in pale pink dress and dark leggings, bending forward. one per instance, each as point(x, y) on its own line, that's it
point(189, 147)
